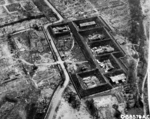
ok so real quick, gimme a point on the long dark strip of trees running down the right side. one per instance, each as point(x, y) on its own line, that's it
point(136, 74)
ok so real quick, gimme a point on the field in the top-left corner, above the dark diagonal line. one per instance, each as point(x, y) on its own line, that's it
point(19, 11)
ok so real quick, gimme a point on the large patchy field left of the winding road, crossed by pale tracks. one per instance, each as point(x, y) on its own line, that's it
point(29, 76)
